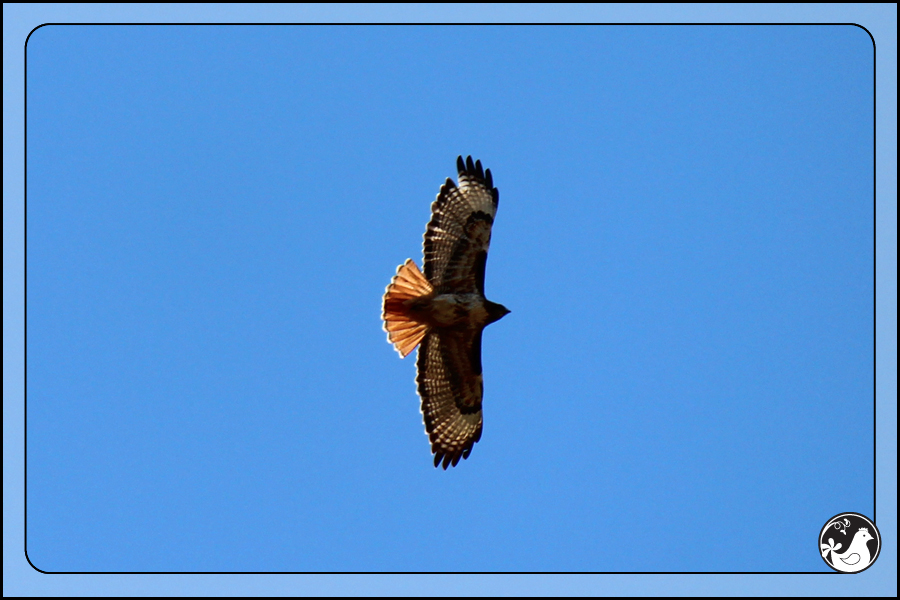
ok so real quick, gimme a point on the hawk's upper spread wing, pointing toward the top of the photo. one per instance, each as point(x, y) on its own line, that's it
point(458, 235)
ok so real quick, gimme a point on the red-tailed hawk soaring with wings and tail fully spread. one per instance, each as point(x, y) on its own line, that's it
point(445, 310)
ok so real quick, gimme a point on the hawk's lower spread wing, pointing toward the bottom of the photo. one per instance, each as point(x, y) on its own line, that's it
point(450, 384)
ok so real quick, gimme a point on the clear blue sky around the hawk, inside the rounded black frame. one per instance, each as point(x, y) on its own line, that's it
point(684, 237)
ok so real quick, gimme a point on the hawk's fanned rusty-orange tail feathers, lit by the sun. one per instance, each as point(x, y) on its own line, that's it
point(404, 332)
